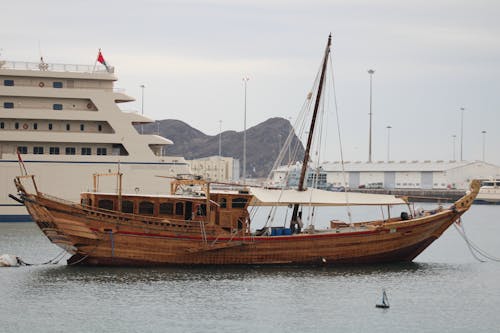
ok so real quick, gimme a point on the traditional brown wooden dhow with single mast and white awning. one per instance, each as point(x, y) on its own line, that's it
point(198, 225)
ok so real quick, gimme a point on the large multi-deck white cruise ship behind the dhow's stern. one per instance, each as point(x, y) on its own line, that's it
point(65, 122)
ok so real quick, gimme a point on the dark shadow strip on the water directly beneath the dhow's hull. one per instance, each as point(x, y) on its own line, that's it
point(190, 273)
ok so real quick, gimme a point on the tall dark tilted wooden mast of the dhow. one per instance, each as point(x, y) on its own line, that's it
point(305, 163)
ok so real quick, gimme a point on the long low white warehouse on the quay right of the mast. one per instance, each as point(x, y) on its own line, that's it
point(409, 175)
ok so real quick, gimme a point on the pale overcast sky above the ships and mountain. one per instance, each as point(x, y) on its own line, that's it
point(431, 58)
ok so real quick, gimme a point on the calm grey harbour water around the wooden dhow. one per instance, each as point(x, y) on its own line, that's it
point(444, 290)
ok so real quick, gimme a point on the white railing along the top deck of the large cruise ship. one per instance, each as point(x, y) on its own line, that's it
point(42, 66)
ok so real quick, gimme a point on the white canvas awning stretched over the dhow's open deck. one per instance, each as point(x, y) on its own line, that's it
point(315, 197)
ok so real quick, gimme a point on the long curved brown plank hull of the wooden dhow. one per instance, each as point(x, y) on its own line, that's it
point(96, 238)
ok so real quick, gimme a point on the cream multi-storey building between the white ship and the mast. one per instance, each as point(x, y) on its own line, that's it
point(216, 168)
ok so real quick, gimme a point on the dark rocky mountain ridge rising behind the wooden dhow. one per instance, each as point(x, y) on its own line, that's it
point(263, 143)
